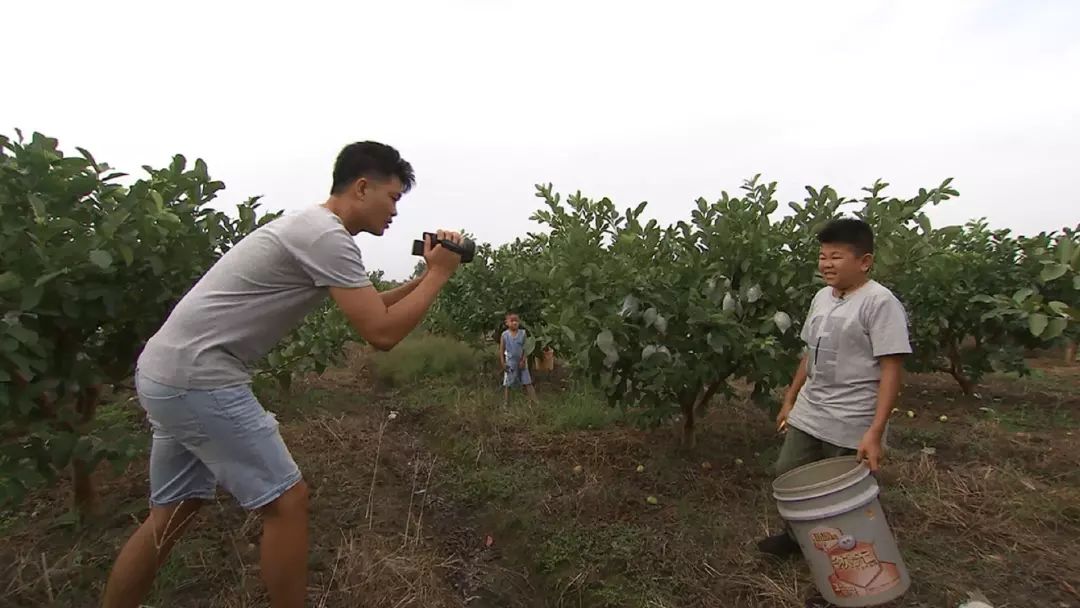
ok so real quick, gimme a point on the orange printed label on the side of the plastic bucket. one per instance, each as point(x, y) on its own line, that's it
point(857, 571)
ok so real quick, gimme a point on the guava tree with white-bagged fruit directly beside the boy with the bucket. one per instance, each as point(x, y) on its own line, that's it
point(666, 318)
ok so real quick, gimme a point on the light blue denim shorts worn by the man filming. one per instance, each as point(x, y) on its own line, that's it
point(204, 439)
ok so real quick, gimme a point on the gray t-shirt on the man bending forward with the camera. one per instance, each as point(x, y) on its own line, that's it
point(253, 296)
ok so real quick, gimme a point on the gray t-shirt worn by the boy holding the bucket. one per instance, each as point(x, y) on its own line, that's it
point(845, 336)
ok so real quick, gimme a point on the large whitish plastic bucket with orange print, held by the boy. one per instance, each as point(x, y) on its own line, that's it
point(833, 509)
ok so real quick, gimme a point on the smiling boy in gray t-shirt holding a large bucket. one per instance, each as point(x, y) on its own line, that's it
point(845, 388)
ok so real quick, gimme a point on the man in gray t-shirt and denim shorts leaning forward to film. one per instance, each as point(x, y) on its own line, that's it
point(193, 377)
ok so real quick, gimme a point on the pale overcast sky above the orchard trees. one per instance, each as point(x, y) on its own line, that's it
point(664, 102)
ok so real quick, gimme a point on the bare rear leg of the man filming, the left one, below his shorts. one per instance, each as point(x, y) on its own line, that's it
point(145, 552)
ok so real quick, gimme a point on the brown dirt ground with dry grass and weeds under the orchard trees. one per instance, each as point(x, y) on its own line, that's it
point(437, 496)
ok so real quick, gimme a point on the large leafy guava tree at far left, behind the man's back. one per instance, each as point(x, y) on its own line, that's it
point(91, 269)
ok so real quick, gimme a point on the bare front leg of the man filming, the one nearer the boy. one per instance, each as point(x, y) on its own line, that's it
point(285, 552)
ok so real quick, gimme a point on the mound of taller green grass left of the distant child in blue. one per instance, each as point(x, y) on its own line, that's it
point(423, 358)
